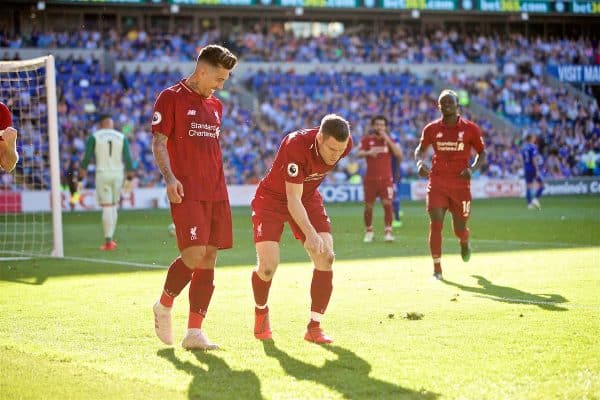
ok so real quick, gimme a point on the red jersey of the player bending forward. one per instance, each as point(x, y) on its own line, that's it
point(297, 161)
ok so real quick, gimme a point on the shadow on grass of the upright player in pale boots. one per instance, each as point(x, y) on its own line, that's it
point(219, 382)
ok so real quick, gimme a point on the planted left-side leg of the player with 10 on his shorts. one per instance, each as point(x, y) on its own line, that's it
point(437, 204)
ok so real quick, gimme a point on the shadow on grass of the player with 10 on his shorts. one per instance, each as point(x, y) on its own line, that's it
point(508, 294)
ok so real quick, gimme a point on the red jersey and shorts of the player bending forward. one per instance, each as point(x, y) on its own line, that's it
point(297, 161)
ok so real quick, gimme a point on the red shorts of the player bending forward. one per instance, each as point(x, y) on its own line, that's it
point(269, 216)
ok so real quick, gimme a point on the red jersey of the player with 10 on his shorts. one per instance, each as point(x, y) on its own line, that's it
point(452, 149)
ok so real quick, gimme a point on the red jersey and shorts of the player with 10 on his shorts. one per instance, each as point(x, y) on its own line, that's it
point(452, 150)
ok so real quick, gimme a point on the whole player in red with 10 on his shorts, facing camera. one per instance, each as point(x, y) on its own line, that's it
point(449, 188)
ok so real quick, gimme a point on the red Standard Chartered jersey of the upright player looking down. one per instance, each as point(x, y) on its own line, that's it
point(192, 123)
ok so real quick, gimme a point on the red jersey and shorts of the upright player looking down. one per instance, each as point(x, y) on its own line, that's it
point(192, 124)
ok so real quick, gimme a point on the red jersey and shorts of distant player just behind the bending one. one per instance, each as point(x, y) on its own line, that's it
point(378, 179)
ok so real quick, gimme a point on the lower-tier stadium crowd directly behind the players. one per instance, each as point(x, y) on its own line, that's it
point(568, 132)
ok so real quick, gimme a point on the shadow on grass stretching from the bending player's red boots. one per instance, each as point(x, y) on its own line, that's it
point(348, 375)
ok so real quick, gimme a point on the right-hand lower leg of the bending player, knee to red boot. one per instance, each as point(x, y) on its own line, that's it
point(320, 290)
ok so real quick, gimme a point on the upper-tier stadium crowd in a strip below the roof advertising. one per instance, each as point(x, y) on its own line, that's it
point(399, 45)
